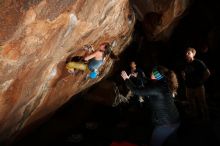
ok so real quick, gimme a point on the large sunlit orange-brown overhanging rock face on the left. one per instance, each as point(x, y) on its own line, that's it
point(36, 38)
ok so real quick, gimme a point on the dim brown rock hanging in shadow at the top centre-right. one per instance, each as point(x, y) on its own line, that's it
point(160, 16)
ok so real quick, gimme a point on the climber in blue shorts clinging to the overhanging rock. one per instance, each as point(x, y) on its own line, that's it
point(91, 62)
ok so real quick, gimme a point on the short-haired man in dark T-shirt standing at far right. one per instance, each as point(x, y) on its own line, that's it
point(195, 74)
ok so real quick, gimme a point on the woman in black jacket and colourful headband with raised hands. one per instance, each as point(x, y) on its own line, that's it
point(159, 93)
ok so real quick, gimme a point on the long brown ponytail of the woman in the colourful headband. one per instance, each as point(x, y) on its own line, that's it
point(171, 78)
